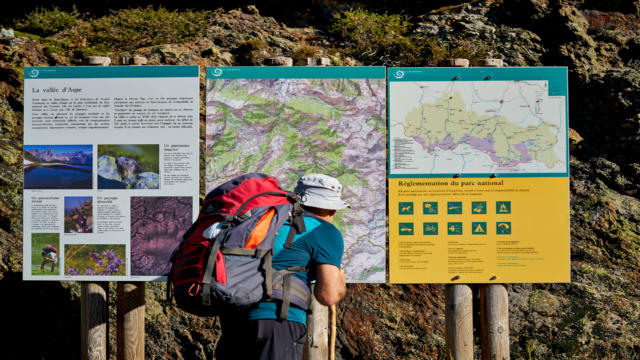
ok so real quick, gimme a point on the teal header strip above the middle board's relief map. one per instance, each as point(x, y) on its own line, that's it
point(296, 72)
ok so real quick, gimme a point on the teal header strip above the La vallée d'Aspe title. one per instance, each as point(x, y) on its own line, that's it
point(102, 72)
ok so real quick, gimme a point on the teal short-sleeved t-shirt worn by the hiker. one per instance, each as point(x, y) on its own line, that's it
point(321, 243)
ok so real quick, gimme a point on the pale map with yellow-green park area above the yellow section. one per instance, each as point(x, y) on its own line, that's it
point(463, 127)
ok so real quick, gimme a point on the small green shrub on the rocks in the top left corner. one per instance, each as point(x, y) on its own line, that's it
point(45, 22)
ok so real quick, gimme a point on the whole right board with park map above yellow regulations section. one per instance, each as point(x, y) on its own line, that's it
point(478, 175)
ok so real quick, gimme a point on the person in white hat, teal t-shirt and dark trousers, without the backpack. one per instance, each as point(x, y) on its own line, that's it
point(269, 330)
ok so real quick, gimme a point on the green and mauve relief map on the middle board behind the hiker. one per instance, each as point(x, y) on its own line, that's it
point(290, 127)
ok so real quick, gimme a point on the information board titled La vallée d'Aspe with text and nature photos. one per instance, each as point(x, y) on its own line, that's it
point(110, 170)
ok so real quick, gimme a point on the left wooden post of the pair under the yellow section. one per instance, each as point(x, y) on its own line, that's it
point(459, 322)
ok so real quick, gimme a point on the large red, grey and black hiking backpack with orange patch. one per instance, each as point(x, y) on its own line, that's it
point(224, 260)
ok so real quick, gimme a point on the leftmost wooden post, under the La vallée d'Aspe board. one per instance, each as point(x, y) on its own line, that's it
point(93, 321)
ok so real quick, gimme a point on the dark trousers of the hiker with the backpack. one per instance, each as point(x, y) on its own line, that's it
point(264, 339)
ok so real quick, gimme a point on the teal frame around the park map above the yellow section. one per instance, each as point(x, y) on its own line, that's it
point(556, 76)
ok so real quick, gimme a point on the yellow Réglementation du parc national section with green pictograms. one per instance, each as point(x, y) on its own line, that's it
point(479, 230)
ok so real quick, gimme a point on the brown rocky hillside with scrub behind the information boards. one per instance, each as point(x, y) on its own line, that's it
point(596, 316)
